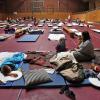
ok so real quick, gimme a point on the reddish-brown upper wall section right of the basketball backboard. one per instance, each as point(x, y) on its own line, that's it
point(66, 5)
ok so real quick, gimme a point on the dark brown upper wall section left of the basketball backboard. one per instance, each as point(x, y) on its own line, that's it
point(19, 5)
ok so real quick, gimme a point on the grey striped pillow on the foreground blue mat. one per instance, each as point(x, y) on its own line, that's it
point(36, 76)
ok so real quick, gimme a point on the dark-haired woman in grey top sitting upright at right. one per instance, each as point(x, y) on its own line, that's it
point(85, 50)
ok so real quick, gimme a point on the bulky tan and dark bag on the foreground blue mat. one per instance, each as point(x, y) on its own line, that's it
point(74, 73)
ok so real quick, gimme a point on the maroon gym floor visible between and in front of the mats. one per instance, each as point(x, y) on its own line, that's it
point(43, 44)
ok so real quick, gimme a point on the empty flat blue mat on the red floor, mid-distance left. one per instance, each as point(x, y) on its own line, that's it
point(28, 38)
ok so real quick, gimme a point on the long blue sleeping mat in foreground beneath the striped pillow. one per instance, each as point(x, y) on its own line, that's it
point(57, 81)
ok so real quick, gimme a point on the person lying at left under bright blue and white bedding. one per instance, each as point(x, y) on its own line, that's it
point(9, 61)
